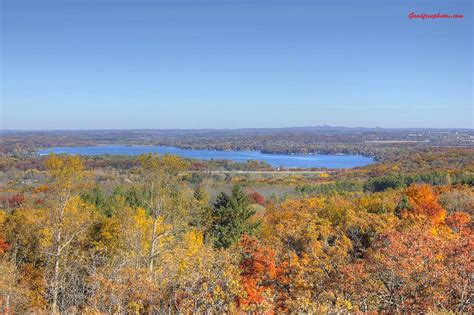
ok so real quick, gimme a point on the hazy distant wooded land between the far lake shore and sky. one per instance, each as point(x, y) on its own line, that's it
point(327, 140)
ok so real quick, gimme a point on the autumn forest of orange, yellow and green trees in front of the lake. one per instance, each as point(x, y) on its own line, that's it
point(162, 234)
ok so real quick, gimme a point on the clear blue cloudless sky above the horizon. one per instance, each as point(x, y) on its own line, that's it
point(112, 64)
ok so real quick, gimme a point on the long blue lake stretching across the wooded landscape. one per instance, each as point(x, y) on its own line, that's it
point(276, 160)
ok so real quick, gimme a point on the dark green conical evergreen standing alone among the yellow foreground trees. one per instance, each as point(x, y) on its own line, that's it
point(230, 218)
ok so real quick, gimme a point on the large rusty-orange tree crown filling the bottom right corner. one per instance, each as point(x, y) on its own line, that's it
point(413, 271)
